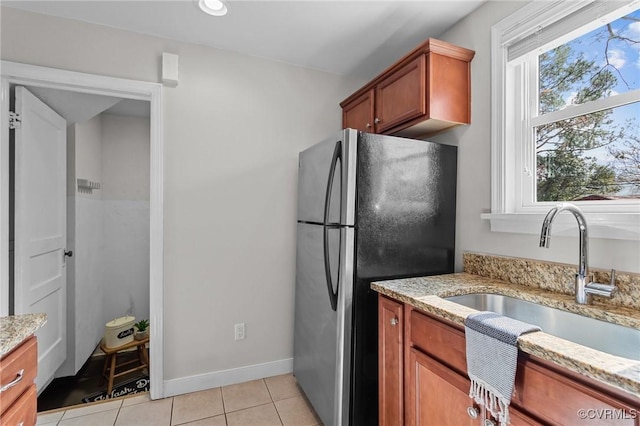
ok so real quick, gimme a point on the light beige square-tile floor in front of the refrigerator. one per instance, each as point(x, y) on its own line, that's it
point(276, 401)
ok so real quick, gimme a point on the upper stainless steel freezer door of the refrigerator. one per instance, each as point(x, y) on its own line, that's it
point(326, 173)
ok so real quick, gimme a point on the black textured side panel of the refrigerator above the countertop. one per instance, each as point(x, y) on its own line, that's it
point(406, 207)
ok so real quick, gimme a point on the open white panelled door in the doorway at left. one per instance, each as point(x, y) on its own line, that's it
point(40, 226)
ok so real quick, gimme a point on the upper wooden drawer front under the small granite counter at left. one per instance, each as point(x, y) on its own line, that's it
point(22, 359)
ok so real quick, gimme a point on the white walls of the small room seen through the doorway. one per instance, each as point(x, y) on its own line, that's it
point(108, 230)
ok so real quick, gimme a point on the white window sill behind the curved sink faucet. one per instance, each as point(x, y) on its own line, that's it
point(617, 226)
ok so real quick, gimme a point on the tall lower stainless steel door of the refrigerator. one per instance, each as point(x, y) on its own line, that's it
point(321, 351)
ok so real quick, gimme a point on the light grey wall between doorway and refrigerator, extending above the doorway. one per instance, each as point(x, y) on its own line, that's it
point(233, 128)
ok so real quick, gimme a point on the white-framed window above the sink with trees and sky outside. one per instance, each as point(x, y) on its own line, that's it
point(566, 115)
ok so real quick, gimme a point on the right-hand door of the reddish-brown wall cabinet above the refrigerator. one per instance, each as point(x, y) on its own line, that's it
point(401, 96)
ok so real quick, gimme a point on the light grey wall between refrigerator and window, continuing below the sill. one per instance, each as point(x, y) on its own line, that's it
point(474, 166)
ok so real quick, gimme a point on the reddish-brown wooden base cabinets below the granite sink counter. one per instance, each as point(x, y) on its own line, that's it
point(434, 388)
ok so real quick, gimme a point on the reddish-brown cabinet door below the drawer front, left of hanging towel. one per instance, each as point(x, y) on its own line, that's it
point(438, 395)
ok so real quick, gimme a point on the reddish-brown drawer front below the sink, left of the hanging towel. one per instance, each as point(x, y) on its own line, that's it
point(440, 341)
